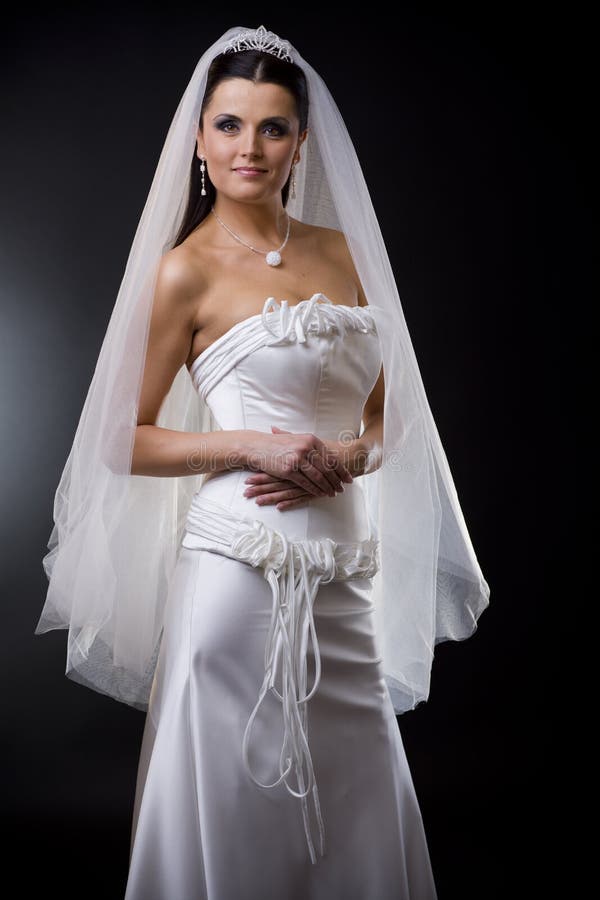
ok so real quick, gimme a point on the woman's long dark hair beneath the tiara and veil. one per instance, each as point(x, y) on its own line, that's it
point(259, 67)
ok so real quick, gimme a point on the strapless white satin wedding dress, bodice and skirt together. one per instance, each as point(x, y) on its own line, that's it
point(262, 603)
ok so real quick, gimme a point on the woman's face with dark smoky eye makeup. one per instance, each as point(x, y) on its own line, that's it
point(249, 125)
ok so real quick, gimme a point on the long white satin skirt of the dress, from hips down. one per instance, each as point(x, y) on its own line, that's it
point(203, 829)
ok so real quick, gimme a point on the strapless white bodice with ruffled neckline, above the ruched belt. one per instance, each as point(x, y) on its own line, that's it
point(309, 367)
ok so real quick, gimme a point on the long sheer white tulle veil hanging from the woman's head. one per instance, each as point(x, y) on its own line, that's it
point(116, 536)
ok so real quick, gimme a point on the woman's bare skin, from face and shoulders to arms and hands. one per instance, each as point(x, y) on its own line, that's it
point(210, 283)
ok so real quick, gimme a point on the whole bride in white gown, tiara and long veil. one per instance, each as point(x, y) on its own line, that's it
point(239, 552)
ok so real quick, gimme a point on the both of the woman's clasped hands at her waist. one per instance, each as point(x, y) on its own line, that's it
point(301, 468)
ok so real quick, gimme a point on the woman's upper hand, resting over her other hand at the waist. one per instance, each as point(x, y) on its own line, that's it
point(301, 458)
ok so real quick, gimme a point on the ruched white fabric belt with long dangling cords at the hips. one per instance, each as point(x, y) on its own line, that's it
point(294, 570)
